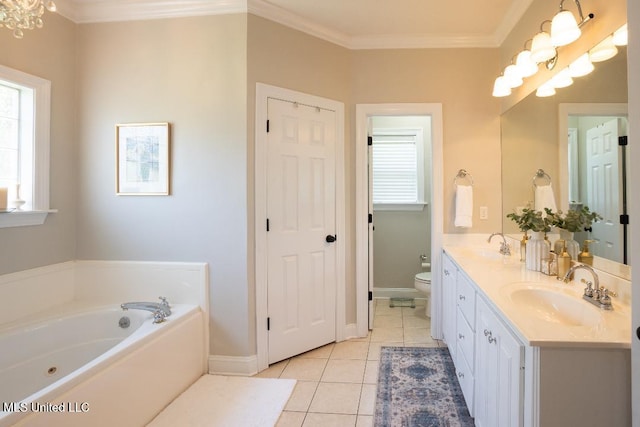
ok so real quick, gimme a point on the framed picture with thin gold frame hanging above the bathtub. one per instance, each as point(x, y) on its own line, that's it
point(142, 159)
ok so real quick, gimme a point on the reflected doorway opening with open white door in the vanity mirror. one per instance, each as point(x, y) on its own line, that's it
point(596, 160)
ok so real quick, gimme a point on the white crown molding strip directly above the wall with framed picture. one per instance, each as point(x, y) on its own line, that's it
point(84, 12)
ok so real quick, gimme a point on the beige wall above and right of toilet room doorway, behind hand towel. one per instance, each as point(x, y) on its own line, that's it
point(461, 80)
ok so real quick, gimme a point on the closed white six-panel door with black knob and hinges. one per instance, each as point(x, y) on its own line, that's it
point(301, 212)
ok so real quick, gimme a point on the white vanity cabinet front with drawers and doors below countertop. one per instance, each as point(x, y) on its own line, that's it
point(489, 359)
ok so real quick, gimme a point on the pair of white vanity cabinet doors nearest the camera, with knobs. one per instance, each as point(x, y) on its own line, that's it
point(499, 368)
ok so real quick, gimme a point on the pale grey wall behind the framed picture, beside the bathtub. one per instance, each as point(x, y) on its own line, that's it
point(190, 72)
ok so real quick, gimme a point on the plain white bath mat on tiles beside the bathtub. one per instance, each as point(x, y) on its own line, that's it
point(221, 401)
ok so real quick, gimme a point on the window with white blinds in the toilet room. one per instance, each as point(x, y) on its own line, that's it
point(398, 167)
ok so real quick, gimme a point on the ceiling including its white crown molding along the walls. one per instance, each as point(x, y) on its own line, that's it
point(355, 24)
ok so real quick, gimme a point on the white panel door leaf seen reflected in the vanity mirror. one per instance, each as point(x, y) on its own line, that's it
point(603, 189)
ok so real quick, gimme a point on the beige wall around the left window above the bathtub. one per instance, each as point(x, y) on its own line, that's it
point(49, 53)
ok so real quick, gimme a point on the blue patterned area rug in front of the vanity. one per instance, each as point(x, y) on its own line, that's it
point(417, 387)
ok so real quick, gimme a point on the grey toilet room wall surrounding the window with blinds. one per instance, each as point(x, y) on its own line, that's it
point(400, 237)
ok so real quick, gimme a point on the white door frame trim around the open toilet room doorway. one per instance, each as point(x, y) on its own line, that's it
point(364, 223)
